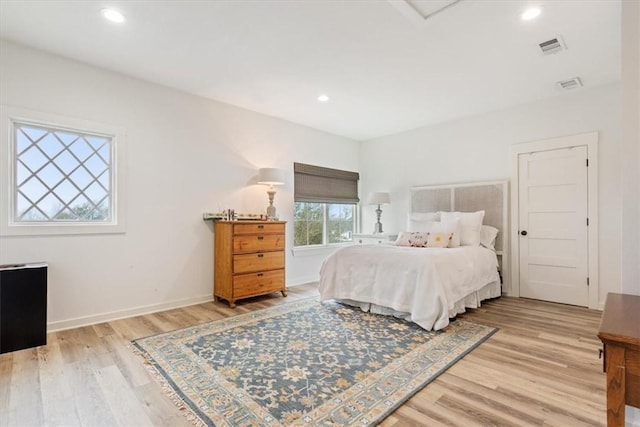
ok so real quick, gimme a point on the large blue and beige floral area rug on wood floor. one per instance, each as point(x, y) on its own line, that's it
point(306, 363)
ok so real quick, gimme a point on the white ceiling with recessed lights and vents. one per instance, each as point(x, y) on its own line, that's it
point(385, 71)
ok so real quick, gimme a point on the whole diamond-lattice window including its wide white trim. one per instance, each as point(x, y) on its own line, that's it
point(61, 177)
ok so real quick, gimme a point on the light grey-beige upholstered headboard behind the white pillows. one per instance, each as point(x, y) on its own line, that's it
point(490, 196)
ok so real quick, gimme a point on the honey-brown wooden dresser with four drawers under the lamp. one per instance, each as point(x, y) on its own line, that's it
point(249, 259)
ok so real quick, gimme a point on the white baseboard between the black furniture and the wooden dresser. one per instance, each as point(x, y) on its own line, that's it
point(122, 314)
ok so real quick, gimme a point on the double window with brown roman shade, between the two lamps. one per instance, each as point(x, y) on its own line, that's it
point(325, 205)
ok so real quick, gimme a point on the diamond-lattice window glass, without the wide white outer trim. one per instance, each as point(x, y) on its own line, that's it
point(61, 175)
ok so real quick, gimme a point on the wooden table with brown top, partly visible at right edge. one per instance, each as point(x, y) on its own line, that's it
point(620, 335)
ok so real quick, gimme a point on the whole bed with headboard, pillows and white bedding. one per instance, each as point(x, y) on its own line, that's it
point(437, 280)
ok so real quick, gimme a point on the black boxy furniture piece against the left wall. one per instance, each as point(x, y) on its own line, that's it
point(23, 306)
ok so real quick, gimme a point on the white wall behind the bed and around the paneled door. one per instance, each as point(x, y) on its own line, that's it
point(478, 149)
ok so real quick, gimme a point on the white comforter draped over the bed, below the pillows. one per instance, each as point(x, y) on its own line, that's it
point(424, 282)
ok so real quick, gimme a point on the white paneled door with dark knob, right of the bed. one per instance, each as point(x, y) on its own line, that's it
point(553, 225)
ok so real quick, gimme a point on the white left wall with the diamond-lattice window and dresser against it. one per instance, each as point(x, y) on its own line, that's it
point(186, 155)
